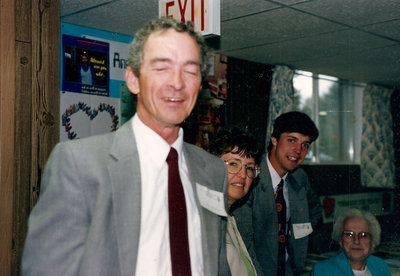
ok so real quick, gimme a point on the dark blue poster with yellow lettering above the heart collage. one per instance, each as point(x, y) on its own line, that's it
point(86, 68)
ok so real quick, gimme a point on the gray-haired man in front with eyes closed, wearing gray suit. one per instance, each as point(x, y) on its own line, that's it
point(103, 208)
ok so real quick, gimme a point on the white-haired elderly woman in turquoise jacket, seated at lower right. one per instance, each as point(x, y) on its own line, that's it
point(357, 232)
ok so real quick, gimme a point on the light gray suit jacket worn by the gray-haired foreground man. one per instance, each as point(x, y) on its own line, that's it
point(87, 221)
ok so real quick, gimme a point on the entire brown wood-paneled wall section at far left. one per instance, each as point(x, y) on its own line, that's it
point(29, 125)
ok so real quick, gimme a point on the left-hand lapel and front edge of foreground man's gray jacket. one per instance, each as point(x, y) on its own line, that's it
point(124, 170)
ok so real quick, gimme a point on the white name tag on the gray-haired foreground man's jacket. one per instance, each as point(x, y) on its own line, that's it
point(211, 200)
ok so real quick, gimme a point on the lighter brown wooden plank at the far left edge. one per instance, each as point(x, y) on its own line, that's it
point(7, 93)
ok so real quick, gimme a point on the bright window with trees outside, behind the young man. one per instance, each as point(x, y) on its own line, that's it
point(335, 107)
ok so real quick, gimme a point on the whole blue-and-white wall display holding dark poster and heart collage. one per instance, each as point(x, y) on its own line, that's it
point(92, 68)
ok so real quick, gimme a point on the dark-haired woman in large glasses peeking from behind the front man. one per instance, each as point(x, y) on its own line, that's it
point(240, 152)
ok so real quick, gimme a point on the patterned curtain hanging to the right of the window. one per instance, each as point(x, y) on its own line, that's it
point(377, 152)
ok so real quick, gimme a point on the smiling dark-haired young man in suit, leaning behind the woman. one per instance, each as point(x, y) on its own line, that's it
point(257, 219)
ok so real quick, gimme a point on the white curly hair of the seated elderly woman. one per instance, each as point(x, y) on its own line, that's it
point(373, 225)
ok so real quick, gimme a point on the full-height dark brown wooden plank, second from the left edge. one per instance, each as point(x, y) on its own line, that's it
point(23, 109)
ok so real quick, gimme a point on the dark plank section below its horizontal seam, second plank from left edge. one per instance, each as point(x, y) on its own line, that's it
point(22, 167)
